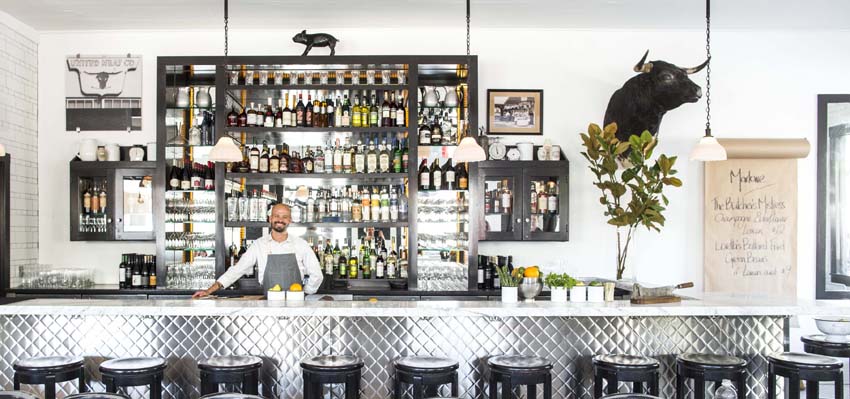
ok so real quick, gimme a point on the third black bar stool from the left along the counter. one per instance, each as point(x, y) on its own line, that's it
point(244, 370)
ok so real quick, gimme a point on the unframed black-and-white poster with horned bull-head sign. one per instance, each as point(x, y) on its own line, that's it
point(103, 92)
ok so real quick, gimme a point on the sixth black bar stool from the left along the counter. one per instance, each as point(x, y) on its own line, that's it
point(513, 370)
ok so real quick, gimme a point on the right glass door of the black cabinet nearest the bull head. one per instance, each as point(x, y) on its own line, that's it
point(545, 197)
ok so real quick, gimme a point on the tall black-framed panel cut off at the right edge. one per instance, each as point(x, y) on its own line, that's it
point(833, 210)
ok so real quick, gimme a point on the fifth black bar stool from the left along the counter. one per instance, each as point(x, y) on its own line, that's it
point(425, 374)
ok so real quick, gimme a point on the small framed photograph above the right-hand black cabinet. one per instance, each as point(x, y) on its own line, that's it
point(511, 111)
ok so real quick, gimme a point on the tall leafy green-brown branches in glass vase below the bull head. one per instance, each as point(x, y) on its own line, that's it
point(643, 182)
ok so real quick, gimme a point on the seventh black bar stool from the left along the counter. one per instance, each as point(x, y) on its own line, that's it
point(626, 368)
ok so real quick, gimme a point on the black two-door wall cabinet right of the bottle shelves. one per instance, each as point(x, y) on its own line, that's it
point(523, 201)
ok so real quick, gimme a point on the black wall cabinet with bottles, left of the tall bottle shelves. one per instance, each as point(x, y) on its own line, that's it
point(111, 201)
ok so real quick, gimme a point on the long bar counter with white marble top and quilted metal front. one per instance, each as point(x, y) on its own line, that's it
point(283, 333)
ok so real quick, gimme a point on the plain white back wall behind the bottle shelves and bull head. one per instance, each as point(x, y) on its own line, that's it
point(764, 85)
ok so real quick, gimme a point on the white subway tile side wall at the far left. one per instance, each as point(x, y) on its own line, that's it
point(19, 133)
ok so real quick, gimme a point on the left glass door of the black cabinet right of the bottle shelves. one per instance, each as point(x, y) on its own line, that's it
point(502, 210)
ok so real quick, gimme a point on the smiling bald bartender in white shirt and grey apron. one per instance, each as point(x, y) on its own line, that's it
point(281, 259)
